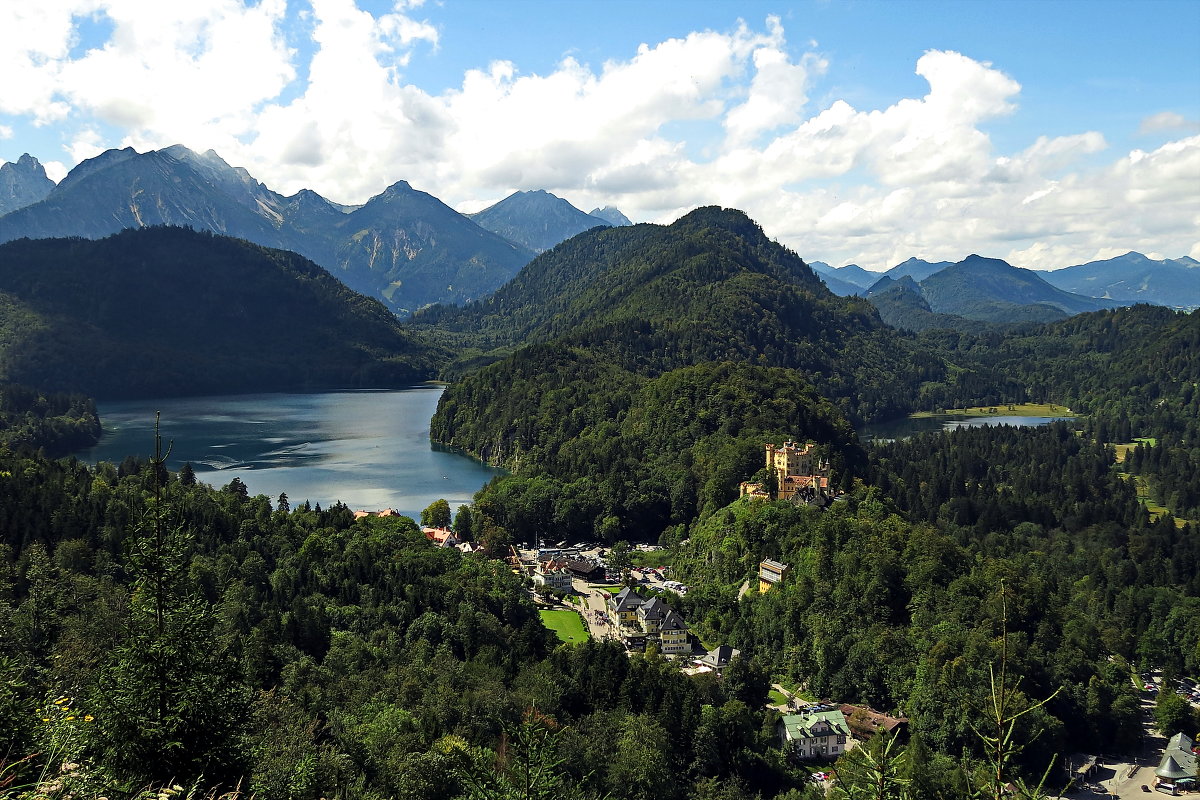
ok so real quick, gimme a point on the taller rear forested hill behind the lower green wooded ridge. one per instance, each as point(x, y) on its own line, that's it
point(711, 287)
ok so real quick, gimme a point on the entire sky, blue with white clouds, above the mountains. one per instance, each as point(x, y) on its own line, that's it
point(1047, 134)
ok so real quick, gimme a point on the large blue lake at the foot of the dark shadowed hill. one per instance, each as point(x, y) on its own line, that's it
point(368, 449)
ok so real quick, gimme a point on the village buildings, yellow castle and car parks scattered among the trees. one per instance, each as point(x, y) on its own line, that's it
point(589, 591)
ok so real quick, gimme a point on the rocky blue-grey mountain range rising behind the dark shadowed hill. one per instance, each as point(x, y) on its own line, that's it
point(404, 246)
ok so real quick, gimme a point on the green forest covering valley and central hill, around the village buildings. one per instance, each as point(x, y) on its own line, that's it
point(158, 631)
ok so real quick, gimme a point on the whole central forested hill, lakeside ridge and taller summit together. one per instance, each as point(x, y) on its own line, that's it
point(662, 359)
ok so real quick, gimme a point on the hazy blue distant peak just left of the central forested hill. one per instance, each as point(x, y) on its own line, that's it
point(537, 220)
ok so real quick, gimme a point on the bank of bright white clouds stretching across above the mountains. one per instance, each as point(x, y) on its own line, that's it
point(709, 118)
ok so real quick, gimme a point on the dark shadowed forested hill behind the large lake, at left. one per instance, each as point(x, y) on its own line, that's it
point(170, 311)
